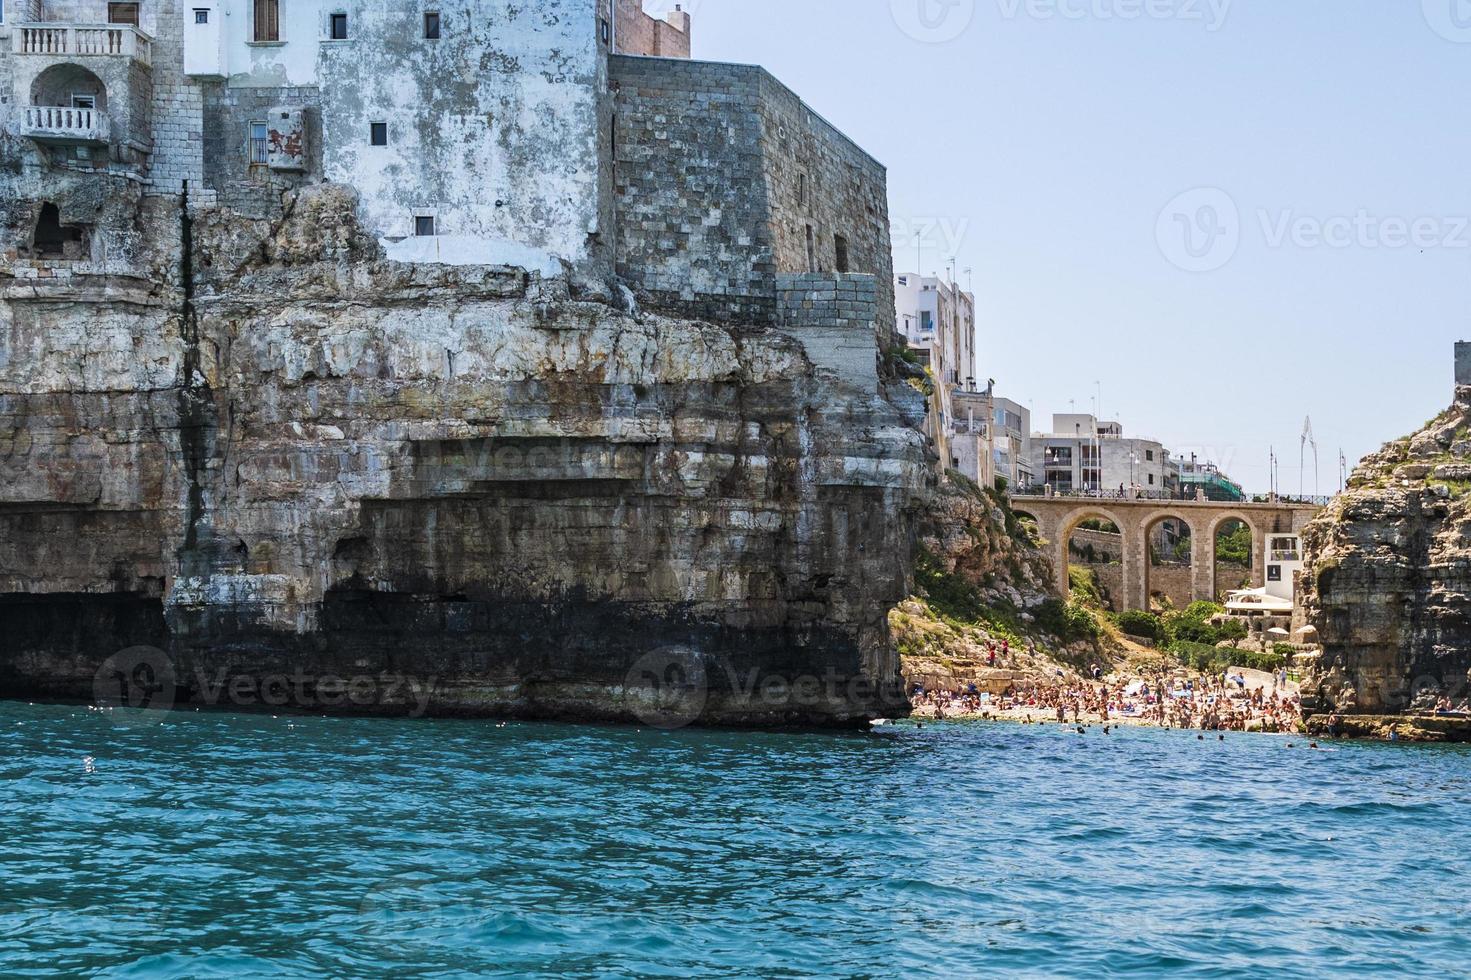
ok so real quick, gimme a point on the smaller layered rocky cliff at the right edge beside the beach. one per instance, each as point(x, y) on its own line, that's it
point(1389, 578)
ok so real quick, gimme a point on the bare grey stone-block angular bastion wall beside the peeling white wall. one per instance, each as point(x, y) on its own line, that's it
point(720, 171)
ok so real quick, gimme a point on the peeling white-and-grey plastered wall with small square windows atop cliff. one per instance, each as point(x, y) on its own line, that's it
point(494, 129)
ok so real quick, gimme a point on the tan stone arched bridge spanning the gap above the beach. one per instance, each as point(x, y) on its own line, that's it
point(1058, 517)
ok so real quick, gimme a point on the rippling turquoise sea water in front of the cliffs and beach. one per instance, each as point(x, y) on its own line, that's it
point(248, 845)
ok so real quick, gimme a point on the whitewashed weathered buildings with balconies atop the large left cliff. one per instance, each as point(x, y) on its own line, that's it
point(473, 132)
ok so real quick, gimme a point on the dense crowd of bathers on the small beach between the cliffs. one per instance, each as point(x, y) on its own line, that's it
point(1210, 704)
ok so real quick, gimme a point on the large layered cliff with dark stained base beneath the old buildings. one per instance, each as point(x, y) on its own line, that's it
point(461, 489)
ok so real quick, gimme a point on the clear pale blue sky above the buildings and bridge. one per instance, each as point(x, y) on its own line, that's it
point(1048, 149)
